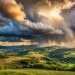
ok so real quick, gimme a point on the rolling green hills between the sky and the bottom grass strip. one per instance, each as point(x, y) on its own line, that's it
point(53, 58)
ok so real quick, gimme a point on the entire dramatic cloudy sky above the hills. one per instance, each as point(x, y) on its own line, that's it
point(37, 22)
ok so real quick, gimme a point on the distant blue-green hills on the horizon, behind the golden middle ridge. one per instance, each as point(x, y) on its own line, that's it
point(62, 54)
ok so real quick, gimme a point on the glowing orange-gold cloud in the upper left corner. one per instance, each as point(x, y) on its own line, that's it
point(11, 9)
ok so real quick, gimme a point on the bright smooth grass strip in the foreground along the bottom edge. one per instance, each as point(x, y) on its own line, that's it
point(34, 72)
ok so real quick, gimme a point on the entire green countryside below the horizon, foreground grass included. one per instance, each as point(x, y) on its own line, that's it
point(40, 61)
